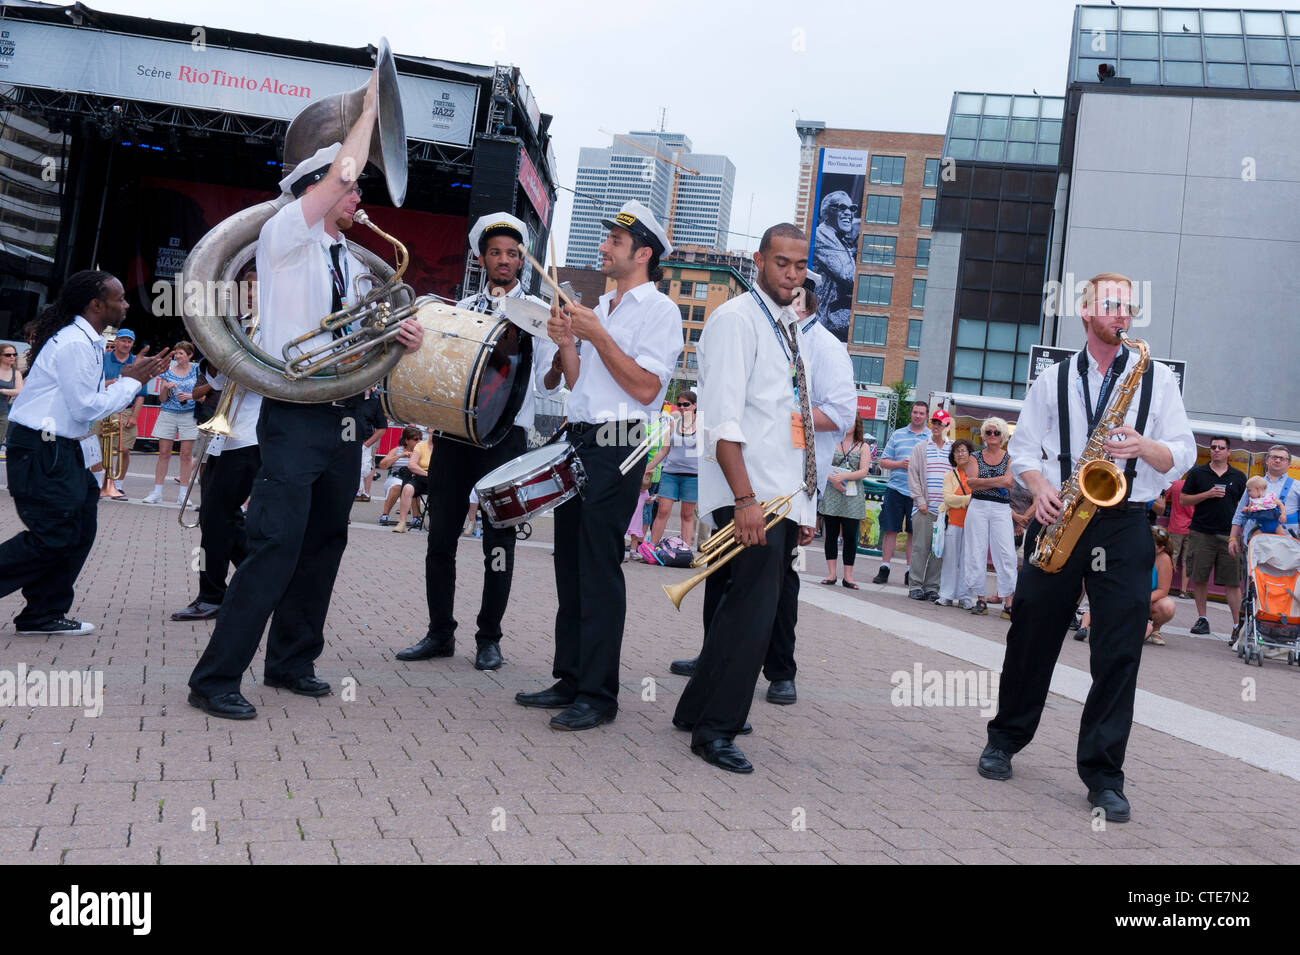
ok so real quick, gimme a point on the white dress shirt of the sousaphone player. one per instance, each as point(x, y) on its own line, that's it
point(296, 280)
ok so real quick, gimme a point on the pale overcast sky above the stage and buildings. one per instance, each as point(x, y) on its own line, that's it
point(733, 76)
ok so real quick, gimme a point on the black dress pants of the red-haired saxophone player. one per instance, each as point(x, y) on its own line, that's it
point(1113, 559)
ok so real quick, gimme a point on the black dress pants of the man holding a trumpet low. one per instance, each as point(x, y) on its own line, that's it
point(743, 598)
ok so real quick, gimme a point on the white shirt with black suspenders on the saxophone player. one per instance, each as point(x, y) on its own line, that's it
point(1038, 431)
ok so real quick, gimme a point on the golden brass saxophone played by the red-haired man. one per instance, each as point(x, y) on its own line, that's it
point(1095, 481)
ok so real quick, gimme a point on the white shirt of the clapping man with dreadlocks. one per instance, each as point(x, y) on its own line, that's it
point(64, 393)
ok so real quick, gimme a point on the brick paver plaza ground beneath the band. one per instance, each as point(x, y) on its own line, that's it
point(434, 762)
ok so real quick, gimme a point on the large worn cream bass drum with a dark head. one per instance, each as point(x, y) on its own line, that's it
point(469, 380)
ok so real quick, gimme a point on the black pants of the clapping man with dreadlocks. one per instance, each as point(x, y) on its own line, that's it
point(58, 501)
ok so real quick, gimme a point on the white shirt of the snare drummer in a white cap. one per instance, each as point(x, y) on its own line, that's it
point(647, 325)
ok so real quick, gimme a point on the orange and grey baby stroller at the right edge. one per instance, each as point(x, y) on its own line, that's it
point(1271, 607)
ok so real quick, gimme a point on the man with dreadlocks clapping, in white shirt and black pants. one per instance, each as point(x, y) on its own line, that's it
point(54, 493)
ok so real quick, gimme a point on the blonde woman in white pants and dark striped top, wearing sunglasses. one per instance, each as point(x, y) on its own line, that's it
point(989, 519)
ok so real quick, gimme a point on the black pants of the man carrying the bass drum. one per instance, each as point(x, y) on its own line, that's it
point(456, 470)
